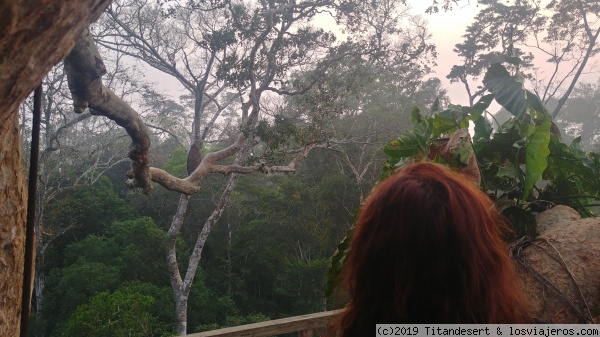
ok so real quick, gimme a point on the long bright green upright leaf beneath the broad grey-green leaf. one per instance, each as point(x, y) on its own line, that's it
point(536, 154)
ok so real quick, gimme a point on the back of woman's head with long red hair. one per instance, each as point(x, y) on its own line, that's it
point(428, 249)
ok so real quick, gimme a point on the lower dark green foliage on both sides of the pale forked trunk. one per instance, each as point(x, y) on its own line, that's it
point(268, 259)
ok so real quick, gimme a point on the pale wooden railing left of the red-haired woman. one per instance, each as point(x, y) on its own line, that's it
point(304, 325)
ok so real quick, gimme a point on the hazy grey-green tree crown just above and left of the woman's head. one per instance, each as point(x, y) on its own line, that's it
point(362, 106)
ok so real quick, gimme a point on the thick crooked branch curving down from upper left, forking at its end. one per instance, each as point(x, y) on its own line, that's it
point(84, 68)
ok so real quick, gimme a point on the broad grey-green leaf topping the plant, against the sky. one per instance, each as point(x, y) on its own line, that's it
point(509, 92)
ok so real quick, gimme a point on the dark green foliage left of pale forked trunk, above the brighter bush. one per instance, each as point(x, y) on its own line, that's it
point(129, 251)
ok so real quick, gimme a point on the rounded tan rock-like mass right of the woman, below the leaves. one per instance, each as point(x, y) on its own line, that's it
point(567, 255)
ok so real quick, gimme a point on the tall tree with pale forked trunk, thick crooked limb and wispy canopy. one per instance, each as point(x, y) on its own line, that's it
point(256, 52)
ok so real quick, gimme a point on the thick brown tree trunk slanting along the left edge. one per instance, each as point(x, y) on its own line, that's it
point(34, 36)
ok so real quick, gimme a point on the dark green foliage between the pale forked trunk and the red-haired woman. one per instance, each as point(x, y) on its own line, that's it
point(270, 255)
